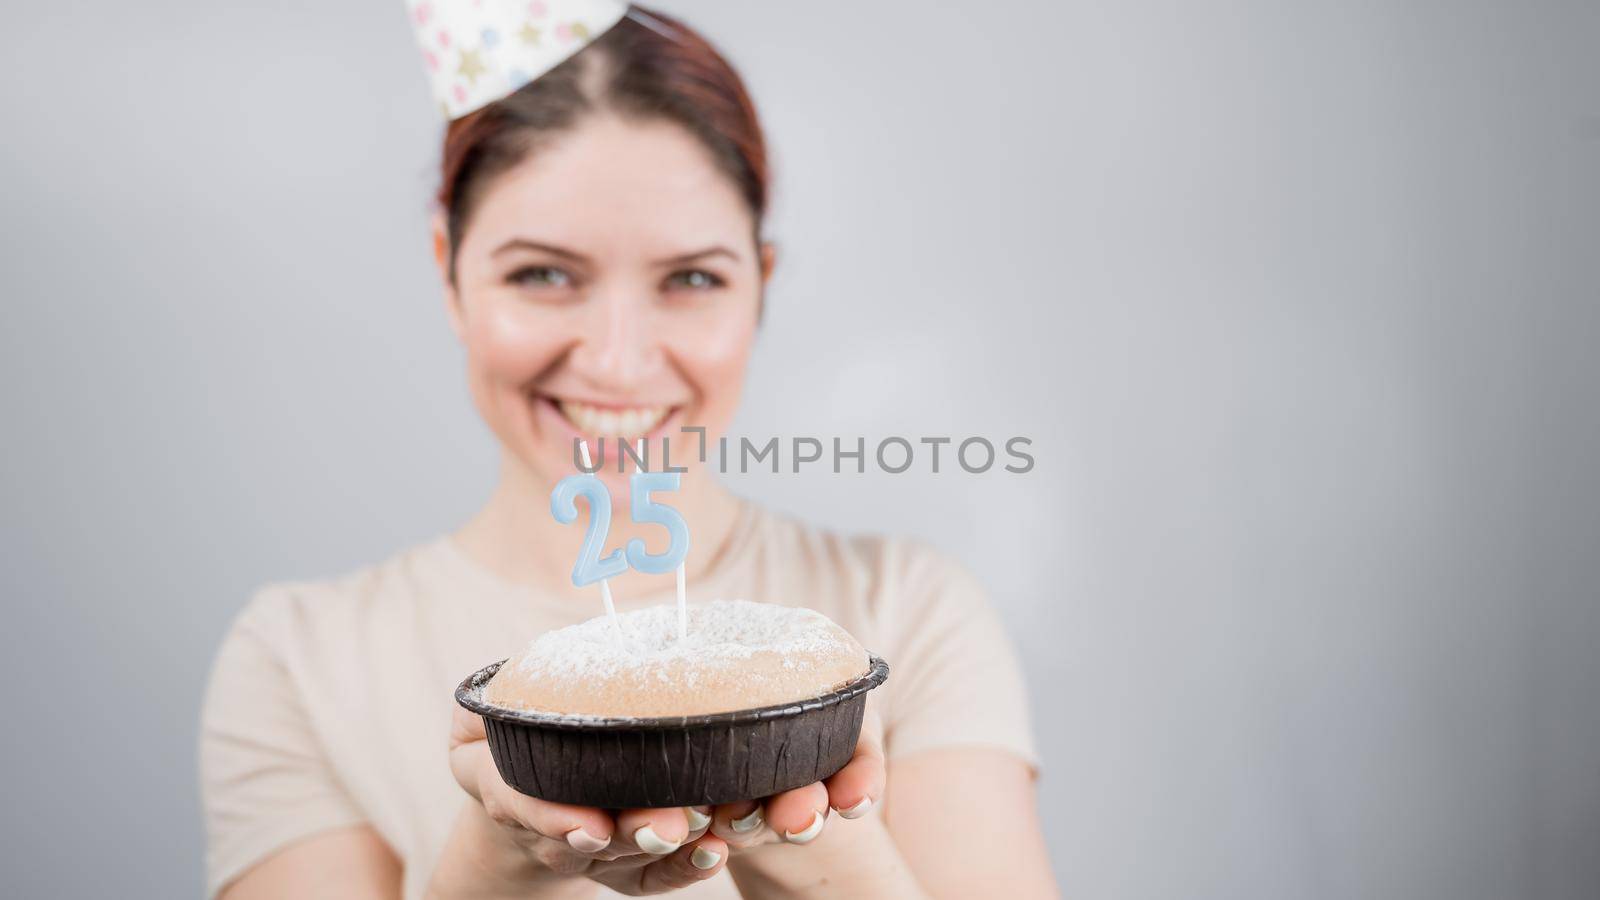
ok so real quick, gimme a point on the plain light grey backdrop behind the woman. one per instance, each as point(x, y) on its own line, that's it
point(1297, 302)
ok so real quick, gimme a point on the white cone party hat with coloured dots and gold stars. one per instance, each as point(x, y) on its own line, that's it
point(481, 50)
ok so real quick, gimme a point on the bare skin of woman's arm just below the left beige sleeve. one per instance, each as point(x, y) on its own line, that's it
point(350, 864)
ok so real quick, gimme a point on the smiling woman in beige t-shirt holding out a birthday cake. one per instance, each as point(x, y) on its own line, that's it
point(601, 249)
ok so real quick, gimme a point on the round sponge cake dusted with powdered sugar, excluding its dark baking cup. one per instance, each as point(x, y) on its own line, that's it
point(735, 656)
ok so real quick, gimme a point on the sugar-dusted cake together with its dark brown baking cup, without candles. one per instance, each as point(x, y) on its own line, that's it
point(751, 702)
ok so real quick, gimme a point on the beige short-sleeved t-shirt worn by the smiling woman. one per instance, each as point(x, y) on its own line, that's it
point(330, 701)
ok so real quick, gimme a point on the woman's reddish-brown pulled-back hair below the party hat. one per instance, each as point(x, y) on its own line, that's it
point(649, 65)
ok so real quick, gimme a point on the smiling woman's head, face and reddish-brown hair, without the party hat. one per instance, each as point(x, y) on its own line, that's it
point(662, 193)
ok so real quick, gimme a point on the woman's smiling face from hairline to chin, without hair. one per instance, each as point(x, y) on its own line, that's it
point(609, 286)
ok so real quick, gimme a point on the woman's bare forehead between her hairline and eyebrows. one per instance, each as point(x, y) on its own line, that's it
point(615, 185)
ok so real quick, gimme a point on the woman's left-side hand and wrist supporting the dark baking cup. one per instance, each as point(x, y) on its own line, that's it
point(506, 843)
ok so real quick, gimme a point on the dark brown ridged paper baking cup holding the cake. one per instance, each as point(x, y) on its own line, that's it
point(626, 763)
